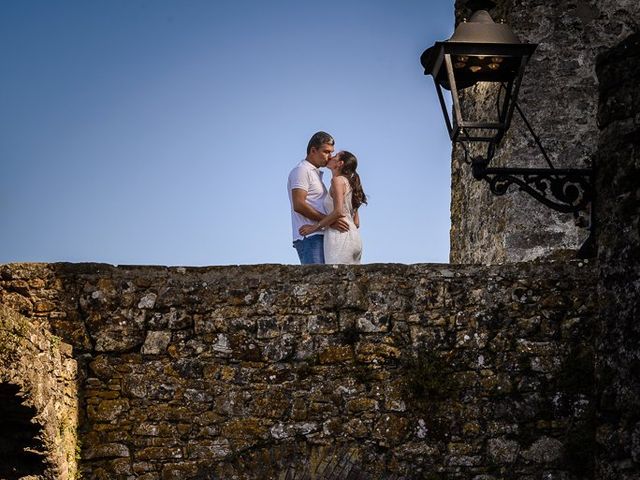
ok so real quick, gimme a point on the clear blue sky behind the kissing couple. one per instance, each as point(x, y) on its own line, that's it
point(162, 132)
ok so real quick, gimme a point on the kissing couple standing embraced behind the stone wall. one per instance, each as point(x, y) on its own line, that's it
point(325, 222)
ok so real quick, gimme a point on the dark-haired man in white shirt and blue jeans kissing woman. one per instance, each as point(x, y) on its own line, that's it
point(306, 195)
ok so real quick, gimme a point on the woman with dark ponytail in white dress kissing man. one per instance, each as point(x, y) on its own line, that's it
point(344, 199)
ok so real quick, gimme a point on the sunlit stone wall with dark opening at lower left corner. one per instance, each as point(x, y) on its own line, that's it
point(39, 398)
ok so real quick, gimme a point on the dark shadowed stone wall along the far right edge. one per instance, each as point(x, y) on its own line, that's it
point(618, 187)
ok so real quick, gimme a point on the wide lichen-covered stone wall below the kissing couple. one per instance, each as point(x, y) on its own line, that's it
point(375, 371)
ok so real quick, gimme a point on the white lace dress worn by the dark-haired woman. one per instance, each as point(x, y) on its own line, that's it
point(342, 247)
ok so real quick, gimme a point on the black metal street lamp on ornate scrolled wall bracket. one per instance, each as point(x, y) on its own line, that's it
point(482, 52)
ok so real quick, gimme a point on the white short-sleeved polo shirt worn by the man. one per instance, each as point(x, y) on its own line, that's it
point(308, 178)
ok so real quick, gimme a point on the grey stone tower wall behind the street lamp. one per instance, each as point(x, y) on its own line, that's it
point(559, 96)
